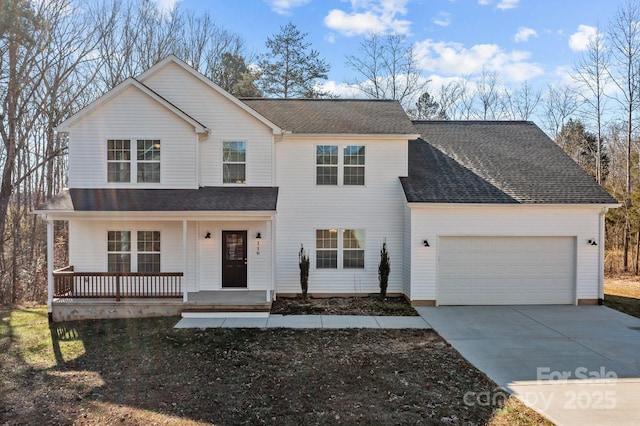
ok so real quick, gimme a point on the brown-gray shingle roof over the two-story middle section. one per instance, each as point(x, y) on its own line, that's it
point(334, 116)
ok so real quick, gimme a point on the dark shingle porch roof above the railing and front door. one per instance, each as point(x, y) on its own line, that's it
point(164, 200)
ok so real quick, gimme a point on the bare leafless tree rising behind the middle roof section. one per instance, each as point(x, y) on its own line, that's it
point(387, 68)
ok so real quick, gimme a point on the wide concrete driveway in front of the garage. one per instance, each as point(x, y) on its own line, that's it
point(577, 365)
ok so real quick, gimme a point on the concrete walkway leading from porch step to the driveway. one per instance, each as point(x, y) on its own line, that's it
point(306, 321)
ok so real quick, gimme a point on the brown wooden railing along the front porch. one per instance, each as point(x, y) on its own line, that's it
point(108, 285)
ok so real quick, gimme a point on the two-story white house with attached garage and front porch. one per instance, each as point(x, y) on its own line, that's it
point(183, 198)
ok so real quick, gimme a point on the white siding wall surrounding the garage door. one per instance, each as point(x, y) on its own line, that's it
point(434, 223)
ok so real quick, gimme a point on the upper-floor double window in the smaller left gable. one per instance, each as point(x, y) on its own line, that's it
point(145, 161)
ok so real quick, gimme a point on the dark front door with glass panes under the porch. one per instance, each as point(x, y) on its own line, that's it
point(234, 259)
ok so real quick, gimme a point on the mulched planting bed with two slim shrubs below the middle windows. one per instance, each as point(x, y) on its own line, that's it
point(372, 305)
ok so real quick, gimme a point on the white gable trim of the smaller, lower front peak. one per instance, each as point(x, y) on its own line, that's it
point(120, 88)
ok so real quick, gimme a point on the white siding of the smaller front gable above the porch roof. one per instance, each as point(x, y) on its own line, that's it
point(132, 115)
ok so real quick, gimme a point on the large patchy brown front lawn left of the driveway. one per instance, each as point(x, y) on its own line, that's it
point(145, 372)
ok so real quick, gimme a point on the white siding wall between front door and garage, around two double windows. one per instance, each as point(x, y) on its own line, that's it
point(304, 206)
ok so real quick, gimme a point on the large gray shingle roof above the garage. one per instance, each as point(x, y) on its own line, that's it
point(494, 162)
